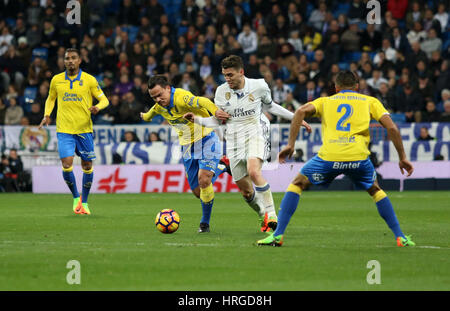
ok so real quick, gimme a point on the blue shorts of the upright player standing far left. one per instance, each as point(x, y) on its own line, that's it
point(80, 144)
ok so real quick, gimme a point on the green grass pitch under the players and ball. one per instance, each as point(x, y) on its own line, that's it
point(328, 244)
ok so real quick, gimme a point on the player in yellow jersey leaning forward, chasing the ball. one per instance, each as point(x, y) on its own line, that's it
point(200, 145)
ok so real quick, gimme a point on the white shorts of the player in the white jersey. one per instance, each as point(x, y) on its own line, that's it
point(257, 147)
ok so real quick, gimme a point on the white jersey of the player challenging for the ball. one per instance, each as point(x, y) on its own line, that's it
point(247, 125)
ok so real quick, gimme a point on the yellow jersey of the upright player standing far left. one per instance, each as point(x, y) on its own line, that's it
point(74, 96)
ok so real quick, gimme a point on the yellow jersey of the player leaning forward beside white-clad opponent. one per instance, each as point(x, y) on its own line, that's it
point(182, 102)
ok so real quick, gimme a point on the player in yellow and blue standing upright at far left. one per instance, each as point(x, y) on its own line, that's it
point(74, 90)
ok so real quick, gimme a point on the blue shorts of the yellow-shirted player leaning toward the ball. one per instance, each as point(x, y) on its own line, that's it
point(204, 154)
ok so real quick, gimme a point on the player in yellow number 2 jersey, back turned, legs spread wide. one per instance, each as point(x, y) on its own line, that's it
point(345, 137)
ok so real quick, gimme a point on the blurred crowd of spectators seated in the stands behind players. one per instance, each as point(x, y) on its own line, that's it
point(297, 46)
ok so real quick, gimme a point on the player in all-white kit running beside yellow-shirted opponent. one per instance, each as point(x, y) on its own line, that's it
point(247, 134)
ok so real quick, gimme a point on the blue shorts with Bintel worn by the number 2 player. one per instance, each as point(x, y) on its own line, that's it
point(321, 172)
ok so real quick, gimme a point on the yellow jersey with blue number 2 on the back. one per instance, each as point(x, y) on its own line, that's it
point(345, 124)
